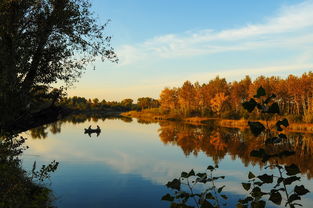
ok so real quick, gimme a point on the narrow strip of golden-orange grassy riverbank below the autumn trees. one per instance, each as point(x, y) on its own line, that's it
point(229, 123)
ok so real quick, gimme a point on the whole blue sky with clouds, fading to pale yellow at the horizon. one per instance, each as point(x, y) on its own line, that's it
point(162, 43)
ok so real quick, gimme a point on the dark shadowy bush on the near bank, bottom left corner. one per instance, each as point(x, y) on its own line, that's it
point(18, 189)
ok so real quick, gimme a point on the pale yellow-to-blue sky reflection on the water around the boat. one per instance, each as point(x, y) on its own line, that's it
point(126, 166)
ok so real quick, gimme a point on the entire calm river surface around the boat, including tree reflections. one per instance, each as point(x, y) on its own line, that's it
point(128, 164)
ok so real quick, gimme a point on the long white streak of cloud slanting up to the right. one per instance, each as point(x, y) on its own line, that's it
point(292, 26)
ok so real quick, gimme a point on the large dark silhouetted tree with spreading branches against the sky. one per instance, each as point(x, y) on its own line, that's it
point(43, 42)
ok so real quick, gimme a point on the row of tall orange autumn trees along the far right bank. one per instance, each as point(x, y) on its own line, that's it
point(219, 98)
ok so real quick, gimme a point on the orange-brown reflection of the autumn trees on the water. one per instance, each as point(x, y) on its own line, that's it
point(217, 142)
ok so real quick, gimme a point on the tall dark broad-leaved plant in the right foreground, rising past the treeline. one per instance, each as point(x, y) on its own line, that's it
point(287, 174)
